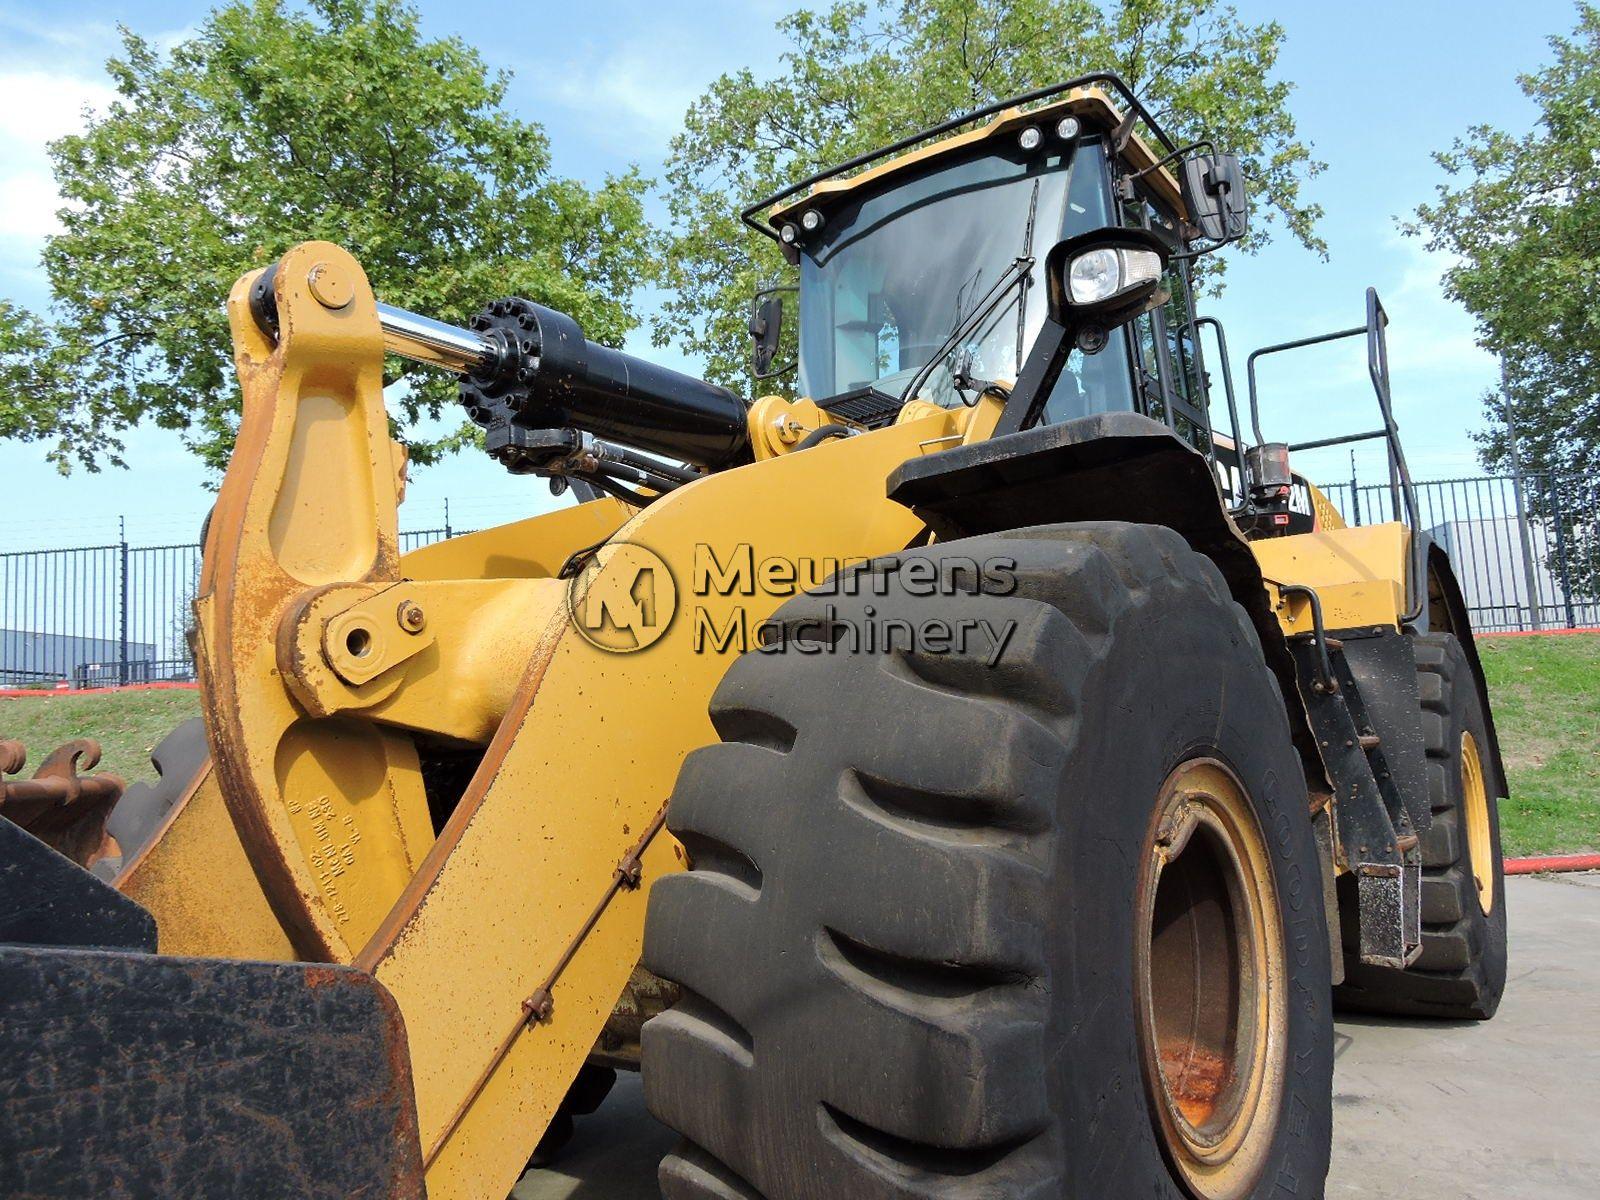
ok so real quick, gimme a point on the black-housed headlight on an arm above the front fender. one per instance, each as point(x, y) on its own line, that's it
point(1105, 279)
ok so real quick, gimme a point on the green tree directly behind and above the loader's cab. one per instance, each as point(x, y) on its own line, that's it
point(862, 76)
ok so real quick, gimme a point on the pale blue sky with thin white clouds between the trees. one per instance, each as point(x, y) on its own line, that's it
point(1378, 89)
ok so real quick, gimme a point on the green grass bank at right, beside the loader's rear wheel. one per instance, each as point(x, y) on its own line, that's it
point(1546, 697)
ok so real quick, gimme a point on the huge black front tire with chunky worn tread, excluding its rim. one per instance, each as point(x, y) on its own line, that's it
point(908, 942)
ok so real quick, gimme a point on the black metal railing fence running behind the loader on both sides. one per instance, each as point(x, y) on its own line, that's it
point(114, 615)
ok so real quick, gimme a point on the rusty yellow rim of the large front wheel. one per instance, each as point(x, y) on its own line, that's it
point(1210, 982)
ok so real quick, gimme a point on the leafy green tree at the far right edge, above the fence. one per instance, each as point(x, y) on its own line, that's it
point(1521, 217)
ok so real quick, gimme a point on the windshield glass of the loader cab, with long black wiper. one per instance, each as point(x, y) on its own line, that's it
point(895, 274)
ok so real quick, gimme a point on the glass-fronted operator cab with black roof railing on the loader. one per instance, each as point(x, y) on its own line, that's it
point(924, 278)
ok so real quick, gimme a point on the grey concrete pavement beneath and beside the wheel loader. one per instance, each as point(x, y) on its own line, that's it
point(1426, 1111)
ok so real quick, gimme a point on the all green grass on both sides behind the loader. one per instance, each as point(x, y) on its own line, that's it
point(1546, 695)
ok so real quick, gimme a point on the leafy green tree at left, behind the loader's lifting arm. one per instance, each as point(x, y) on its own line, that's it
point(276, 126)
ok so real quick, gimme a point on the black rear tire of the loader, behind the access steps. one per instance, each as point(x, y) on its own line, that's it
point(1462, 972)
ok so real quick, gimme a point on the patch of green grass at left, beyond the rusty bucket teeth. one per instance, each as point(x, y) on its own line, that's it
point(127, 726)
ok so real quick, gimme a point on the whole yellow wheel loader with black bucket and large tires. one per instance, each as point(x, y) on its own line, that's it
point(977, 775)
